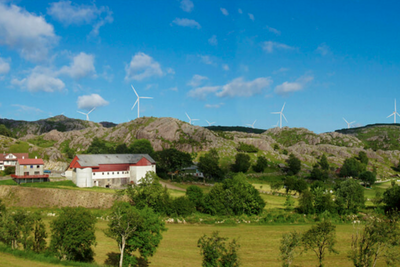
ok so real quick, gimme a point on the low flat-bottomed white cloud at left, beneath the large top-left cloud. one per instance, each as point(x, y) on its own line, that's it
point(40, 79)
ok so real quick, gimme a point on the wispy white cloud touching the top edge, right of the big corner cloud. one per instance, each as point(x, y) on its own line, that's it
point(69, 14)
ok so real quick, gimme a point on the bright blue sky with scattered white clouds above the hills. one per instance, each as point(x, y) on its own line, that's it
point(229, 62)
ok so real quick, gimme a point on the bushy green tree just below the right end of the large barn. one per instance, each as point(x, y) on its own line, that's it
point(150, 193)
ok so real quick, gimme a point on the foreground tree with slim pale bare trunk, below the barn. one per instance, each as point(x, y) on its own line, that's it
point(124, 220)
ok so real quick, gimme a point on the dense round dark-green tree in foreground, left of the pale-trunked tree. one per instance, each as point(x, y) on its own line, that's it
point(73, 234)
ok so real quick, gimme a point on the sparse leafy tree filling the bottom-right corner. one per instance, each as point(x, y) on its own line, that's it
point(378, 239)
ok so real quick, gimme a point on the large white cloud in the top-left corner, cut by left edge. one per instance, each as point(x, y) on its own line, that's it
point(25, 32)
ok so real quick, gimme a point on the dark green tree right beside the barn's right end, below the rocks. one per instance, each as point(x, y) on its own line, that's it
point(172, 160)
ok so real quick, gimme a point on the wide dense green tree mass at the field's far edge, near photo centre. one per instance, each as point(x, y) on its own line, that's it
point(234, 196)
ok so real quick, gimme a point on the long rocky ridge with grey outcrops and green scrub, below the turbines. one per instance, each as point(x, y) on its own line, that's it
point(50, 138)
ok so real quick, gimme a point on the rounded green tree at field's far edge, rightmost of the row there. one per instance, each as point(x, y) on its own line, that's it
point(349, 196)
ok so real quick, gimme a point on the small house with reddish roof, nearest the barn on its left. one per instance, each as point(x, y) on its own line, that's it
point(29, 171)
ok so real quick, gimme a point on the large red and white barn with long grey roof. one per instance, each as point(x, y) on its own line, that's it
point(109, 170)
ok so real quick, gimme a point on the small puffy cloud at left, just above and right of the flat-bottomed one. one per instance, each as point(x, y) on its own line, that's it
point(81, 66)
